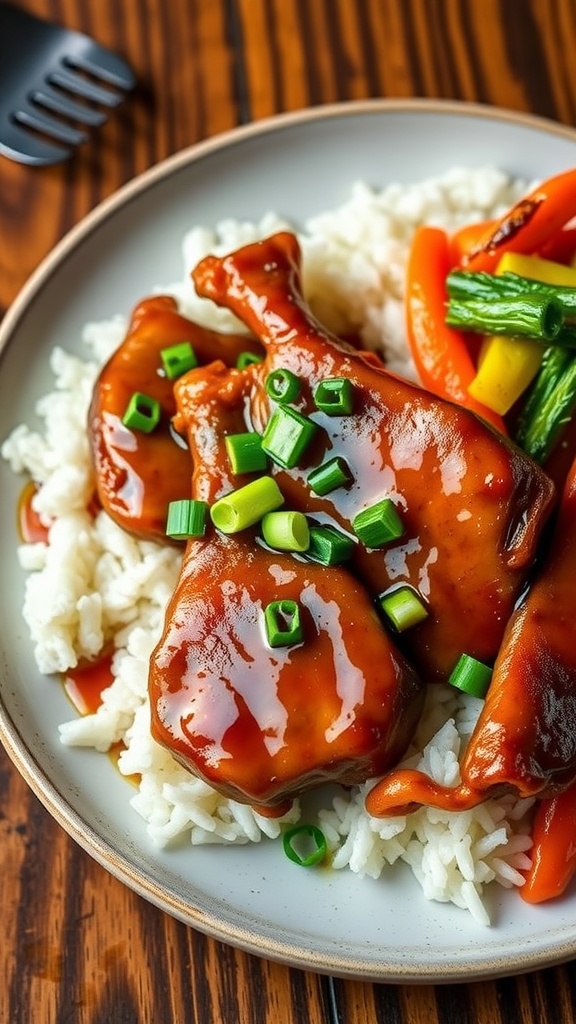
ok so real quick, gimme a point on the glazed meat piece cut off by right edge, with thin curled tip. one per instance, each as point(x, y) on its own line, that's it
point(525, 741)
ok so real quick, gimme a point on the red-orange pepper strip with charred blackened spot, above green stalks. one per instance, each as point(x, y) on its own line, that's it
point(528, 226)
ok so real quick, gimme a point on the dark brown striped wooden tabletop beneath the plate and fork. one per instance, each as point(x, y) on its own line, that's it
point(75, 945)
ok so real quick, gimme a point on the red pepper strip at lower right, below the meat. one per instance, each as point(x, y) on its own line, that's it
point(554, 852)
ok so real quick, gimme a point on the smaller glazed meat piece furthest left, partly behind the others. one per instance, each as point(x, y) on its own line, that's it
point(139, 475)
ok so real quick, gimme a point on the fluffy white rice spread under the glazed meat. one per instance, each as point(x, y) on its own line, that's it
point(94, 585)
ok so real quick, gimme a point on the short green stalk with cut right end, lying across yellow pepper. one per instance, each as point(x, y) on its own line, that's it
point(531, 316)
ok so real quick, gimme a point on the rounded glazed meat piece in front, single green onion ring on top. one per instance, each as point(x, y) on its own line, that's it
point(262, 724)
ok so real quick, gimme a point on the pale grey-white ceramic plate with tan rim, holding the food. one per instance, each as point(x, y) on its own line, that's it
point(250, 897)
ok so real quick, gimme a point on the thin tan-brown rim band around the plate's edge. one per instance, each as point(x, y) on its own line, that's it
point(45, 789)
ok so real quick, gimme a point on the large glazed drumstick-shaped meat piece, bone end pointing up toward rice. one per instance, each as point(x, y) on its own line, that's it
point(473, 505)
